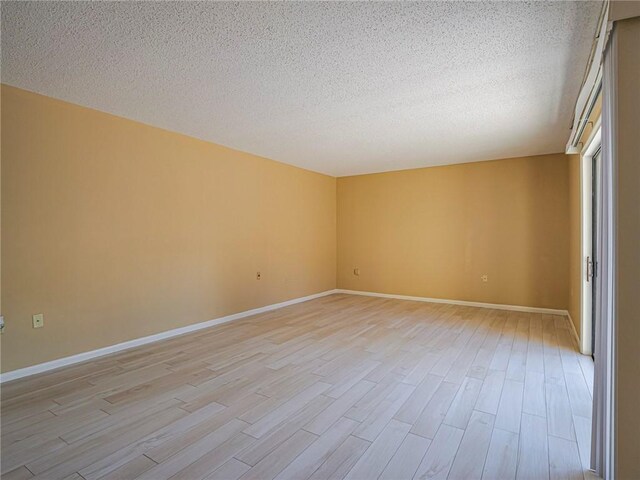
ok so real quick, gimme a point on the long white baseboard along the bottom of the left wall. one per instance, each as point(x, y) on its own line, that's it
point(83, 357)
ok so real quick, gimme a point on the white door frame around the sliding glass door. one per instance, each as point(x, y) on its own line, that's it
point(592, 145)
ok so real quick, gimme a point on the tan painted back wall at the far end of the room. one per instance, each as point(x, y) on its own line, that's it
point(434, 232)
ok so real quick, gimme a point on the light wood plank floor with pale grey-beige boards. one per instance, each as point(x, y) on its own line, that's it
point(338, 387)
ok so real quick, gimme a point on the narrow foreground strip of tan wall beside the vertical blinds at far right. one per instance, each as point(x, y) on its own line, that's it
point(628, 250)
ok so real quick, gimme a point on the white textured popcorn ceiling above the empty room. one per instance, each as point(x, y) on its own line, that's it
point(339, 88)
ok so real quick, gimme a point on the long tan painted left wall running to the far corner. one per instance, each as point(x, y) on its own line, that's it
point(116, 230)
